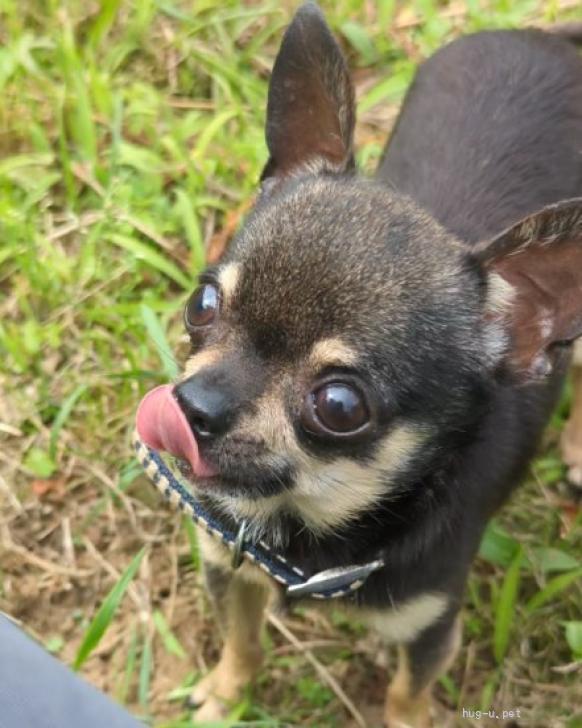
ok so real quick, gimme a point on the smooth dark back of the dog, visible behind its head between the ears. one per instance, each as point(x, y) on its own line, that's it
point(495, 117)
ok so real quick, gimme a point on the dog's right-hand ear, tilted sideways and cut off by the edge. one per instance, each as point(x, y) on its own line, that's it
point(539, 261)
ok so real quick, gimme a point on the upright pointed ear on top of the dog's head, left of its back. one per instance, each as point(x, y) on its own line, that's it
point(310, 111)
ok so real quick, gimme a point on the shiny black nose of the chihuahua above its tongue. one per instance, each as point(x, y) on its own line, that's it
point(208, 406)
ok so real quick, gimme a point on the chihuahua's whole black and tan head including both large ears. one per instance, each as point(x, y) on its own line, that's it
point(347, 342)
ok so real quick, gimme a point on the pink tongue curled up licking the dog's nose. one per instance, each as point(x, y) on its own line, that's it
point(162, 425)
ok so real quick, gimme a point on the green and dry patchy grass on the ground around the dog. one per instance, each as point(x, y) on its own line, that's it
point(130, 144)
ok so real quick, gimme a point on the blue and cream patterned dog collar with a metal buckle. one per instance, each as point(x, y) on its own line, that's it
point(329, 584)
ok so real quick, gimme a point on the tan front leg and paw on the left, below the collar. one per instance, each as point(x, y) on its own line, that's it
point(239, 608)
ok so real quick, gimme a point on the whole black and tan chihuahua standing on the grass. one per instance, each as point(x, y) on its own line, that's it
point(374, 361)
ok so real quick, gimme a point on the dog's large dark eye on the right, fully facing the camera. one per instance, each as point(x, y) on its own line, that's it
point(336, 407)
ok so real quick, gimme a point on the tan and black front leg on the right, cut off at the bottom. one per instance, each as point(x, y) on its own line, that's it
point(420, 663)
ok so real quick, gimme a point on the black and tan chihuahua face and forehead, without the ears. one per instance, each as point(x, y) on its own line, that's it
point(342, 338)
